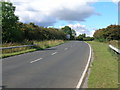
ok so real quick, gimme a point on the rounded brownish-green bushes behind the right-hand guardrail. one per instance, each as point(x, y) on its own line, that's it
point(112, 32)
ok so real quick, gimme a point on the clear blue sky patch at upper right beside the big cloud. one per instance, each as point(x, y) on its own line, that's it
point(108, 15)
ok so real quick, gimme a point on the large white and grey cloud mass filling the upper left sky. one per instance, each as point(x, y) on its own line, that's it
point(48, 12)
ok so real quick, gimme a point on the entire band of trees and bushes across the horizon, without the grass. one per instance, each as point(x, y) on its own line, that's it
point(15, 31)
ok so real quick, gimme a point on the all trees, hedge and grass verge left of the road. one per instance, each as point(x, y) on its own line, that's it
point(15, 33)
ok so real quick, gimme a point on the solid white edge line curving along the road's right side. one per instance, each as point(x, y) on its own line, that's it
point(85, 70)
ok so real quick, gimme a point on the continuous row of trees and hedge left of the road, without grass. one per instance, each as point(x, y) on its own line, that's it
point(15, 31)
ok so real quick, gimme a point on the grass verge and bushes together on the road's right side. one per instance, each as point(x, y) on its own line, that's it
point(104, 69)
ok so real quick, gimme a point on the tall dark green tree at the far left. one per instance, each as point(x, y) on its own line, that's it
point(11, 31)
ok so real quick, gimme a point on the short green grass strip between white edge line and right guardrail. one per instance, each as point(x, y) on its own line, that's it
point(104, 69)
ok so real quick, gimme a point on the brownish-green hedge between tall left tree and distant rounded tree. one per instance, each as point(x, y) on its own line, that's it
point(34, 32)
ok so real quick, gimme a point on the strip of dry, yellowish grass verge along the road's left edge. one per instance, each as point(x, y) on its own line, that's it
point(40, 46)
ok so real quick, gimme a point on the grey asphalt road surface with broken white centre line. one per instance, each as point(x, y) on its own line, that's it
point(56, 67)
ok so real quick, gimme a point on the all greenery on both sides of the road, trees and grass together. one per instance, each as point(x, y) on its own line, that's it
point(104, 70)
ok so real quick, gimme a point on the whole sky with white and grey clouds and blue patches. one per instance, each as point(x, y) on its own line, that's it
point(85, 16)
